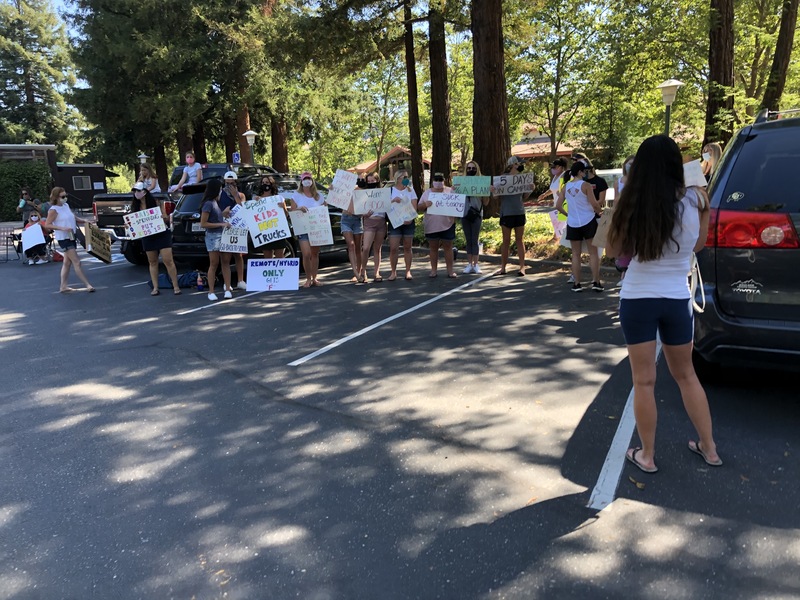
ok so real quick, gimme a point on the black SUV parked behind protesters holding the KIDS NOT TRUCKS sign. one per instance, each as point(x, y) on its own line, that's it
point(188, 238)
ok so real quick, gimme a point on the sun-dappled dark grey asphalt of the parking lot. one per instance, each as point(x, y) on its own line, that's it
point(164, 447)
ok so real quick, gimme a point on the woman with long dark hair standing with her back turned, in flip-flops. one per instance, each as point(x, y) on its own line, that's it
point(660, 223)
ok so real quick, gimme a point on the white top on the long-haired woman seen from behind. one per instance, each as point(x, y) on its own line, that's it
point(667, 277)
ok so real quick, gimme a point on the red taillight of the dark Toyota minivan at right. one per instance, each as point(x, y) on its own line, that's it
point(746, 229)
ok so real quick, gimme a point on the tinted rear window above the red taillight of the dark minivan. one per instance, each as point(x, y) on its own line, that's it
point(758, 180)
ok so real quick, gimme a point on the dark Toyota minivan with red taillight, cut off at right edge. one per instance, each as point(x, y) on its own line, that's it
point(751, 261)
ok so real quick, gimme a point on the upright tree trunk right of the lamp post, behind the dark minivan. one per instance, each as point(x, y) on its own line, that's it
point(720, 73)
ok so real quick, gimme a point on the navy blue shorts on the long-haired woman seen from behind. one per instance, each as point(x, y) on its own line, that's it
point(641, 318)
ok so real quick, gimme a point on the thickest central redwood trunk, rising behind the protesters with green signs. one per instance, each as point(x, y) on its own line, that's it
point(490, 104)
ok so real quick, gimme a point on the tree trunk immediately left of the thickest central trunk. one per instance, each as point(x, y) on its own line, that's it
point(440, 101)
